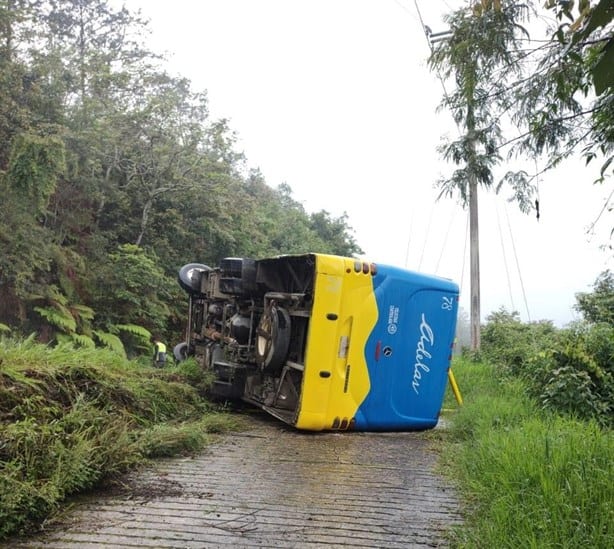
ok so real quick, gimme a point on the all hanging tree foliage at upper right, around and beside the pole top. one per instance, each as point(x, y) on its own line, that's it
point(532, 81)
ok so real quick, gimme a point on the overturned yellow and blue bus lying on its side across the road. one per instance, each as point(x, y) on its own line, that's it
point(323, 342)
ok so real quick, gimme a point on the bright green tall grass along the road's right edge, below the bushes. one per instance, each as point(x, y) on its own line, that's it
point(528, 478)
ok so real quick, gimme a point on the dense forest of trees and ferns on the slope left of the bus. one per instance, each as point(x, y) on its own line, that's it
point(113, 175)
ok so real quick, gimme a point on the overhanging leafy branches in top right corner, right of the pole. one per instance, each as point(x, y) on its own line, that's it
point(566, 100)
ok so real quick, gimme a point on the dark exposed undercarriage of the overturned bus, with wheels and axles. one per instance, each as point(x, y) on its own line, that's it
point(247, 324)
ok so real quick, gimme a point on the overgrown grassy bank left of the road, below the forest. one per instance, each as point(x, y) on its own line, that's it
point(71, 418)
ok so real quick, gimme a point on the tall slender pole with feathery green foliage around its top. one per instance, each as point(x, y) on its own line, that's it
point(483, 39)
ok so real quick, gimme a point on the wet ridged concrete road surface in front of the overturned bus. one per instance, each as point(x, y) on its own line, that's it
point(272, 486)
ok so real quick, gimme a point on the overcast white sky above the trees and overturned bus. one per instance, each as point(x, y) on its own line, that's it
point(335, 99)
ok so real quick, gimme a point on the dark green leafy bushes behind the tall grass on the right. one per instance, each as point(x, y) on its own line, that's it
point(568, 370)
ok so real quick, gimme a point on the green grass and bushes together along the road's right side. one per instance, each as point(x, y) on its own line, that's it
point(531, 449)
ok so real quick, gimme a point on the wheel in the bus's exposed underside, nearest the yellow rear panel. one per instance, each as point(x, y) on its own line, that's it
point(273, 338)
